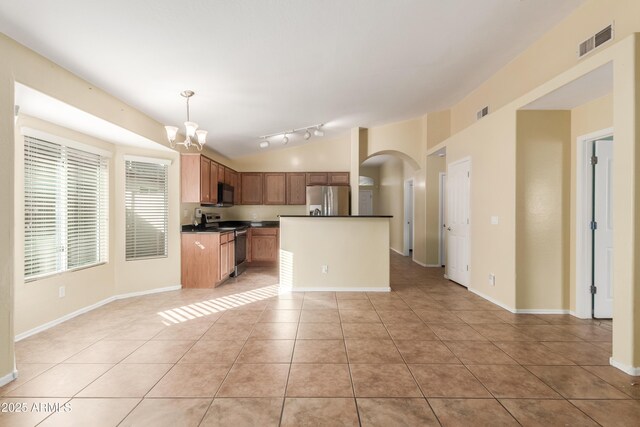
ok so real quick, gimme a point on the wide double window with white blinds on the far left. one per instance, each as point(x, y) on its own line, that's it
point(66, 206)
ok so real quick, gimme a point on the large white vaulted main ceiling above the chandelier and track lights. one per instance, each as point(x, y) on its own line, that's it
point(264, 66)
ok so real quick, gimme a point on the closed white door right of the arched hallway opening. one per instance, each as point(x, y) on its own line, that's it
point(458, 188)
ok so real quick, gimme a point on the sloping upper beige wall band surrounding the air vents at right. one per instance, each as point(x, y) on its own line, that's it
point(552, 54)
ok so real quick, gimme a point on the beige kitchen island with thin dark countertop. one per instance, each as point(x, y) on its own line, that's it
point(334, 253)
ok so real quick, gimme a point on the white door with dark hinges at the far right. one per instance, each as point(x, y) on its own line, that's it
point(603, 235)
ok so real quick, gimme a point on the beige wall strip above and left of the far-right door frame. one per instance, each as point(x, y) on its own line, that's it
point(585, 119)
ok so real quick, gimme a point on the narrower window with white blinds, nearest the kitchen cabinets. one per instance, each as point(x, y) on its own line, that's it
point(147, 208)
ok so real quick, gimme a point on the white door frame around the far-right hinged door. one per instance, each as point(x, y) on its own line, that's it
point(582, 221)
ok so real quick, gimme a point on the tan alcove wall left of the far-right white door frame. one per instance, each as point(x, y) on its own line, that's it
point(543, 148)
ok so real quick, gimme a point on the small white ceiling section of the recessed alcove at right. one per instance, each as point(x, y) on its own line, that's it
point(592, 85)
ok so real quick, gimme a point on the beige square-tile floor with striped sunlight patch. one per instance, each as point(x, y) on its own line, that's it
point(428, 353)
